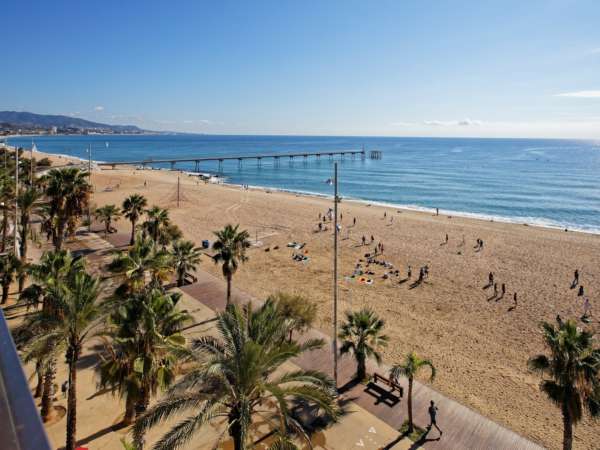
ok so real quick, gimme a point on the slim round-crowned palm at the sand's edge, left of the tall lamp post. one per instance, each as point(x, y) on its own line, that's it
point(231, 246)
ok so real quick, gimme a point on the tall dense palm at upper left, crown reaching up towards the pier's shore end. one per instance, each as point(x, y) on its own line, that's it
point(68, 192)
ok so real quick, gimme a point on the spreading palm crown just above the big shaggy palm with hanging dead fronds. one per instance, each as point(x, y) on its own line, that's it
point(141, 260)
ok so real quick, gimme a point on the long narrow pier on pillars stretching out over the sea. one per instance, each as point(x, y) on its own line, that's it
point(276, 157)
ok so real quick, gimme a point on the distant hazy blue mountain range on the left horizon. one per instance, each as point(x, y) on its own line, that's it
point(17, 119)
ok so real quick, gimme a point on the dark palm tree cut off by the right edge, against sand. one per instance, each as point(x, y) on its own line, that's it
point(573, 367)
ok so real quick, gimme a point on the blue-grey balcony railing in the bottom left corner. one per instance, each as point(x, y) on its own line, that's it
point(20, 424)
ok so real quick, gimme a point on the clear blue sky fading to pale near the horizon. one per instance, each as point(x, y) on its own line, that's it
point(369, 68)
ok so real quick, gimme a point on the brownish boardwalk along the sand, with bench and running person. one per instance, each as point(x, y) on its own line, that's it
point(462, 427)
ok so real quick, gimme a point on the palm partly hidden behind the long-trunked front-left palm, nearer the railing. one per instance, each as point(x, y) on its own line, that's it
point(53, 270)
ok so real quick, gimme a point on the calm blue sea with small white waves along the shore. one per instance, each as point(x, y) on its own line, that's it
point(546, 182)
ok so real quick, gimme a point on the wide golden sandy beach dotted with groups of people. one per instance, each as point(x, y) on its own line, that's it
point(479, 343)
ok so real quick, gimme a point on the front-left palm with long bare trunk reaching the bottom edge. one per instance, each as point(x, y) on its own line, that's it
point(77, 315)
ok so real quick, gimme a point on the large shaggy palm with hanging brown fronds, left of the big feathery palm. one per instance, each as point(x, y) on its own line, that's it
point(143, 344)
